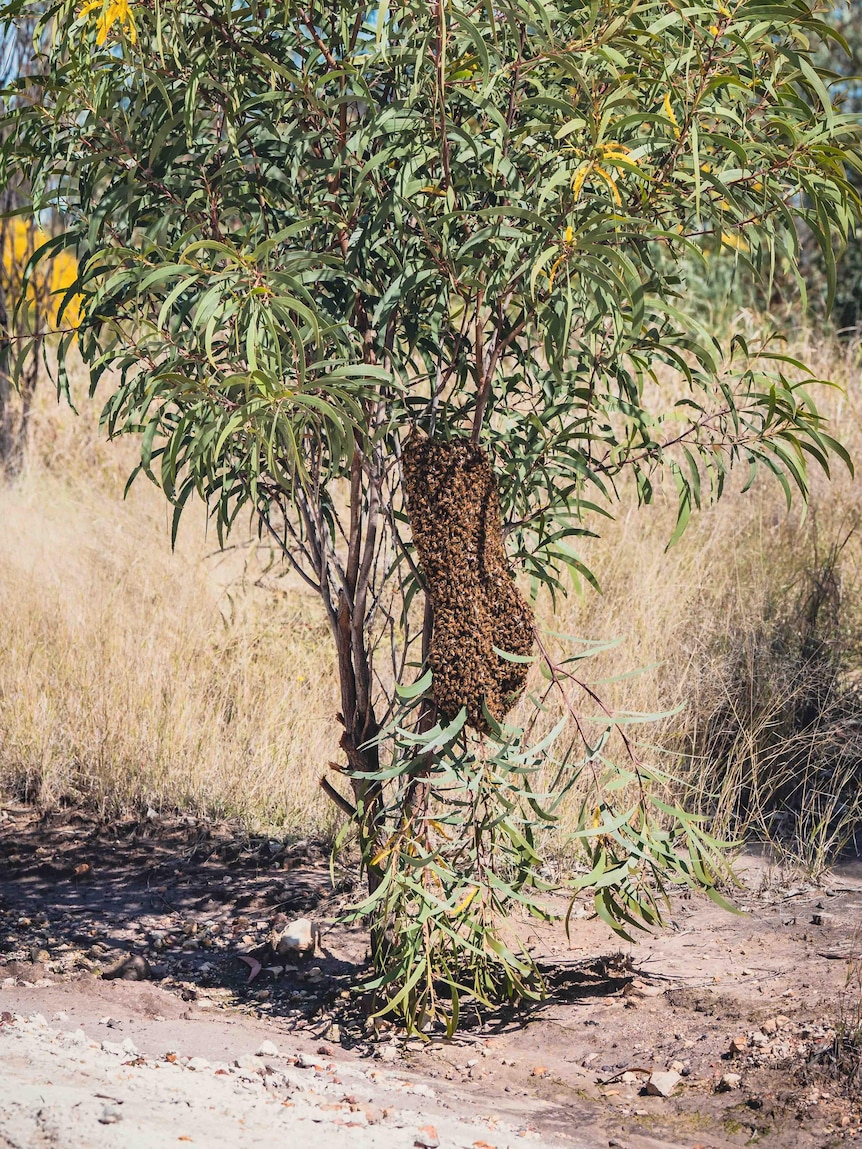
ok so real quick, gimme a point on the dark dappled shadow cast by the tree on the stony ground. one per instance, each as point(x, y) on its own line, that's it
point(195, 906)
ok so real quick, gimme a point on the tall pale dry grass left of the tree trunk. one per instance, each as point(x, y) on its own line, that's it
point(132, 676)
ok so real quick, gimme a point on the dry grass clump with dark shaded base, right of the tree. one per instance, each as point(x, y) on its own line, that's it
point(753, 626)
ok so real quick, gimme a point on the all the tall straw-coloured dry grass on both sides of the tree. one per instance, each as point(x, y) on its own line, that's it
point(132, 676)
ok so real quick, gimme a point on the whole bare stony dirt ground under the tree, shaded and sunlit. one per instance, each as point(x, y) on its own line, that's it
point(745, 1012)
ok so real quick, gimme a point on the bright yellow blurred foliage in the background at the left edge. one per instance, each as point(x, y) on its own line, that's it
point(19, 240)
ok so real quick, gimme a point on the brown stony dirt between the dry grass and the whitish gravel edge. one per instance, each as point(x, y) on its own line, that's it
point(766, 994)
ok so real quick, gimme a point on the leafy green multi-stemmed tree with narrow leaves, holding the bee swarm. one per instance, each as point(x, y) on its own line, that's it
point(333, 252)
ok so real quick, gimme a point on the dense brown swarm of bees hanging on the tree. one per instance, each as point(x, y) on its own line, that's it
point(455, 511)
